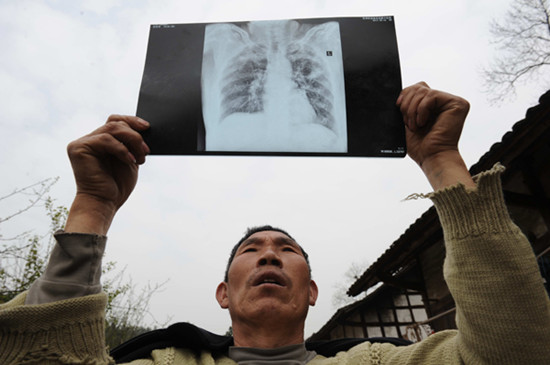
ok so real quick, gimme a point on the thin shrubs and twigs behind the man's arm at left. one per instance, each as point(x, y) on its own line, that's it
point(23, 258)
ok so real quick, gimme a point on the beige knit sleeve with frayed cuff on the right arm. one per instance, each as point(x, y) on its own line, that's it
point(502, 309)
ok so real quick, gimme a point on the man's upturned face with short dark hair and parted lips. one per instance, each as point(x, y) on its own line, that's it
point(268, 278)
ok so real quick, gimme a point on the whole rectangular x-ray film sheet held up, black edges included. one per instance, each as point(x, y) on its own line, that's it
point(277, 87)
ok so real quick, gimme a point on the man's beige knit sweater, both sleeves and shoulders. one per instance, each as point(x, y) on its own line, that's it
point(503, 311)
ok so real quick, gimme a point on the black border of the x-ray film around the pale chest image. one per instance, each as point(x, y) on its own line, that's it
point(170, 94)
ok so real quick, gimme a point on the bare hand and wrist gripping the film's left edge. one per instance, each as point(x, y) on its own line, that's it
point(105, 165)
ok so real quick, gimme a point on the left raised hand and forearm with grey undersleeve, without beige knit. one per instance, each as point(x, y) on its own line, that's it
point(105, 165)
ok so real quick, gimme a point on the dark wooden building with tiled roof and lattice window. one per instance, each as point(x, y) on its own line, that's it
point(411, 298)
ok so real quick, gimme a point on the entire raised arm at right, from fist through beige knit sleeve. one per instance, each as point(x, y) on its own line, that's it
point(502, 309)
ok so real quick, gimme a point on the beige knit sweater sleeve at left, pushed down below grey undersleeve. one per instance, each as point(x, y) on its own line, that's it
point(69, 331)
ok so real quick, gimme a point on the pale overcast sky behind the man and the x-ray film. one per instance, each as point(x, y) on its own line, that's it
point(67, 65)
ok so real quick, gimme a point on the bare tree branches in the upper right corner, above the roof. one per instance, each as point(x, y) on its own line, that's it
point(523, 42)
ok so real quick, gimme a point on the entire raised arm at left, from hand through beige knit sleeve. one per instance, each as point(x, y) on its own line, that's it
point(60, 319)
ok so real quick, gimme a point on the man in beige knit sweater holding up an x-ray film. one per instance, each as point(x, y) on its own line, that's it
point(503, 312)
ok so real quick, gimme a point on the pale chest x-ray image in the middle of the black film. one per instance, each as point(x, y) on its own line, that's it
point(275, 86)
